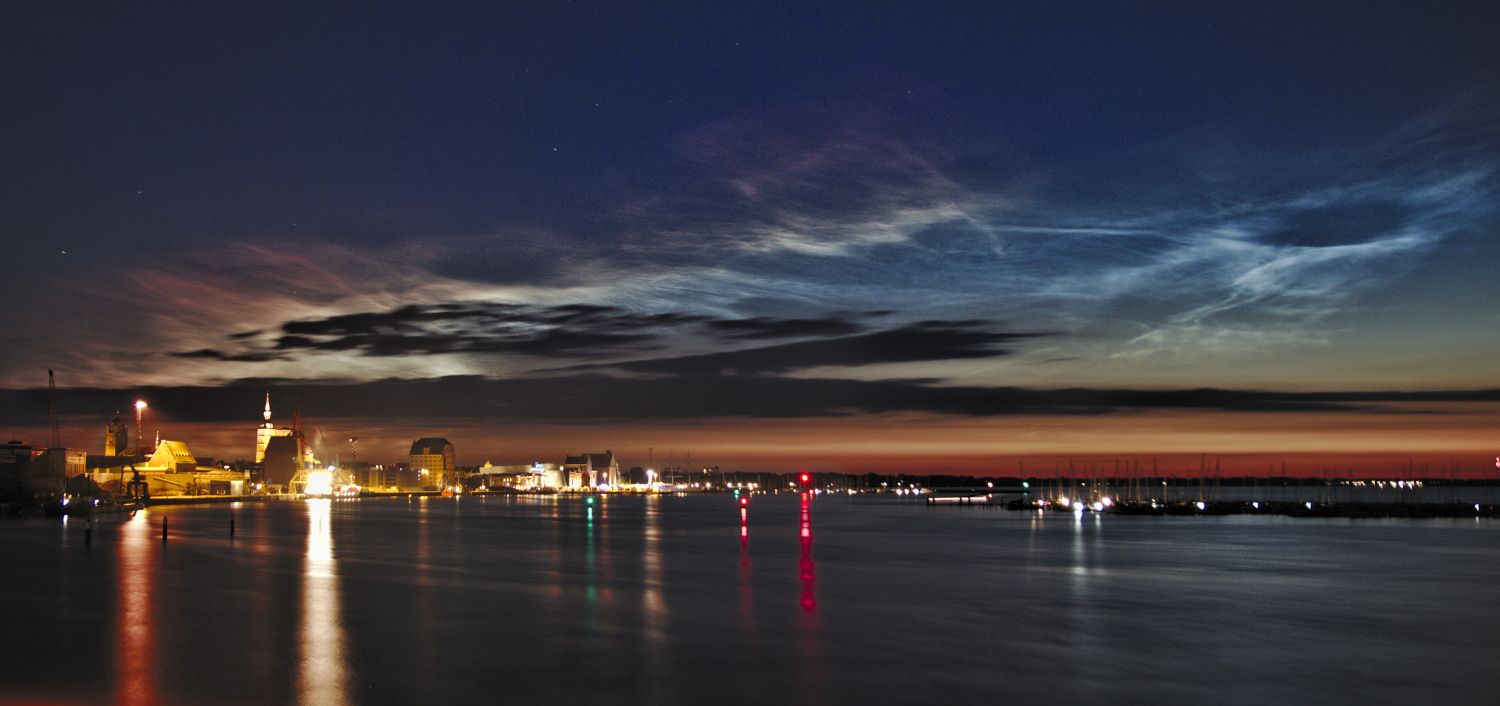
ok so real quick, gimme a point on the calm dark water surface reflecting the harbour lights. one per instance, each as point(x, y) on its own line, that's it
point(689, 600)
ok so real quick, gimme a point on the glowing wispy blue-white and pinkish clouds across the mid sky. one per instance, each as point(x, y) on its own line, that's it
point(859, 215)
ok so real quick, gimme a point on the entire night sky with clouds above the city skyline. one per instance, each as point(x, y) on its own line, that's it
point(838, 236)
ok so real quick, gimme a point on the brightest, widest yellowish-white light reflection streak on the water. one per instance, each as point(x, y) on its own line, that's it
point(322, 678)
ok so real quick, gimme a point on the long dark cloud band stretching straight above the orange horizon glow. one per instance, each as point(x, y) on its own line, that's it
point(599, 398)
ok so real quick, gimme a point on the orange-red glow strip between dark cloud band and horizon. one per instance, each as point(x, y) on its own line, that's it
point(1435, 435)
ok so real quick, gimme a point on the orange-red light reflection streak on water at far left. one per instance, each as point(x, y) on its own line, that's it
point(137, 642)
